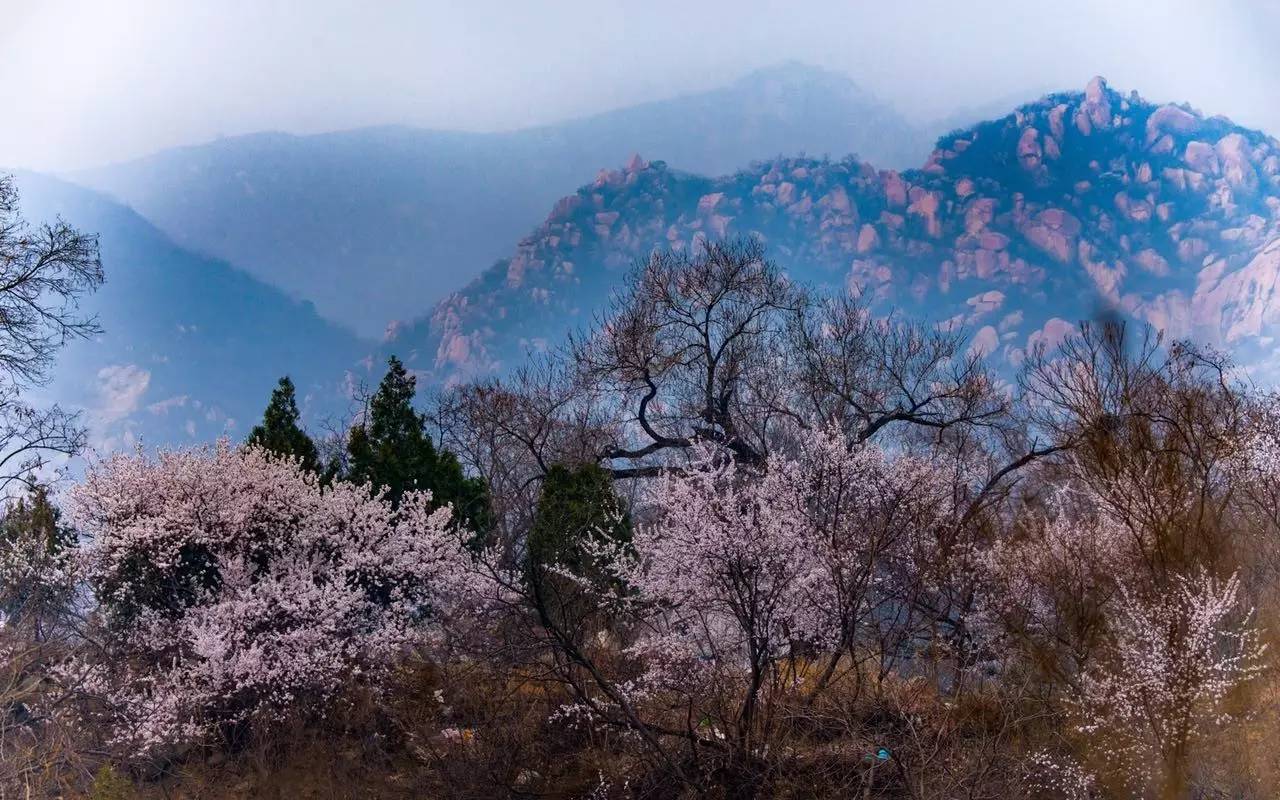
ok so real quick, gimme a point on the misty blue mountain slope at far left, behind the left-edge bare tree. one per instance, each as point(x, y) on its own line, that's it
point(191, 348)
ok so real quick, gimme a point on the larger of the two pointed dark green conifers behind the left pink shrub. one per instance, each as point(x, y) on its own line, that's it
point(392, 451)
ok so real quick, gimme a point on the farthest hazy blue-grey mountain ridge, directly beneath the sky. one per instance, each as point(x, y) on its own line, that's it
point(380, 225)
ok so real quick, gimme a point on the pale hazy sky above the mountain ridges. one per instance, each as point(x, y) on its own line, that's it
point(92, 81)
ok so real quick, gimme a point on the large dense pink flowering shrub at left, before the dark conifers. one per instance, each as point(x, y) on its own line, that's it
point(235, 588)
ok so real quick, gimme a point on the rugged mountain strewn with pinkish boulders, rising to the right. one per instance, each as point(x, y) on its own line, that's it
point(1078, 204)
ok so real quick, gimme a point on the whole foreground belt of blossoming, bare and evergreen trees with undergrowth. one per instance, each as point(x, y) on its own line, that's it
point(738, 538)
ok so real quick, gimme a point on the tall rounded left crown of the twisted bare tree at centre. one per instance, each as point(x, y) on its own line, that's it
point(684, 348)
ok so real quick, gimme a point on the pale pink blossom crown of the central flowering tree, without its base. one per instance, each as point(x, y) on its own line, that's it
point(737, 566)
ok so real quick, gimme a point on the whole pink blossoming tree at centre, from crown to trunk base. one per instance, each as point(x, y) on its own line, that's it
point(744, 586)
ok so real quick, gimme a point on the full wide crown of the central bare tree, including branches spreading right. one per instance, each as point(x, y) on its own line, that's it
point(717, 345)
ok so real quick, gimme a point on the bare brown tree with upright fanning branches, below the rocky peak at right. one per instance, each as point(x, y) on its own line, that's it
point(1153, 432)
